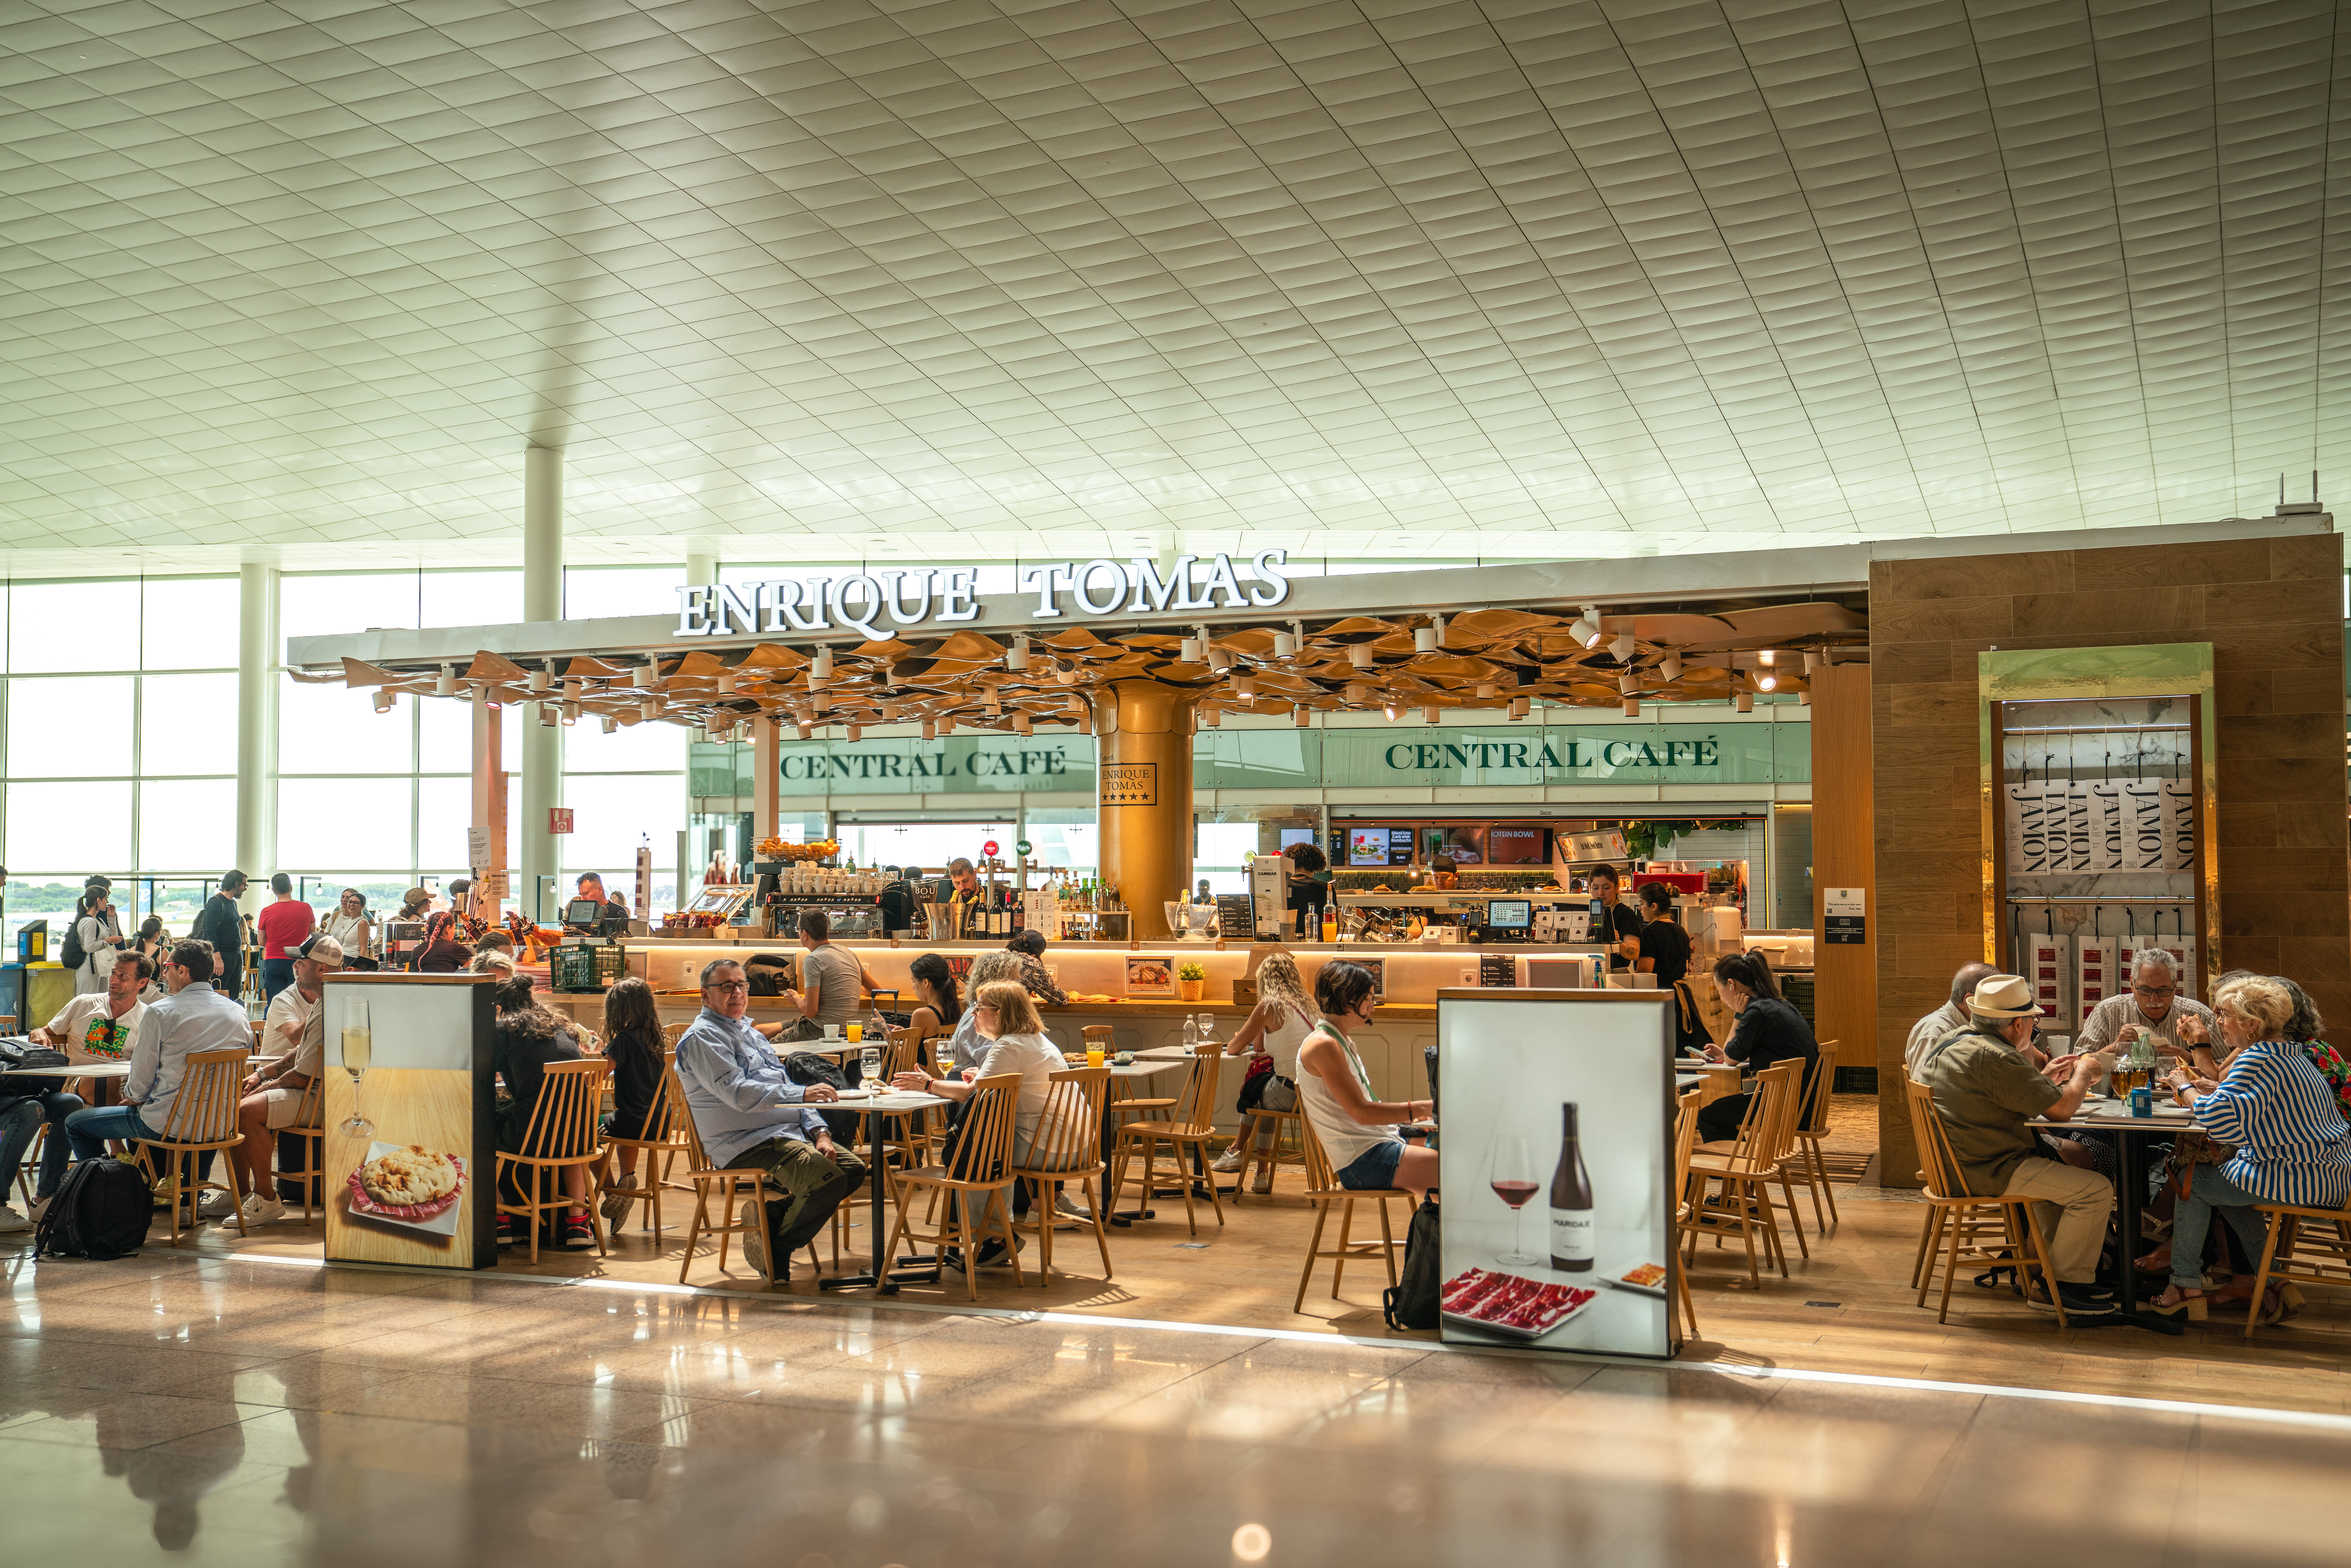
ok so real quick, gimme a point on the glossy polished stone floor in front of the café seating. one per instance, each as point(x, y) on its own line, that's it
point(264, 1414)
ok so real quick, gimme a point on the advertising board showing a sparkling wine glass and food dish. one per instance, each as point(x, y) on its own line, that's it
point(408, 1108)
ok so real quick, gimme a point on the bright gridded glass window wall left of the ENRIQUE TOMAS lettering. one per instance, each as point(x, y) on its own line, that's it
point(119, 735)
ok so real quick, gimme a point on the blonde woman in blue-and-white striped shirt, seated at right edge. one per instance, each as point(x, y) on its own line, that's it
point(2289, 1134)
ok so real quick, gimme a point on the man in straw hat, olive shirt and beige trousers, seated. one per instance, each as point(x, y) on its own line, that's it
point(1988, 1094)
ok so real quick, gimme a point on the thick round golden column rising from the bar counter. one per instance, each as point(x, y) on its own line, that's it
point(1144, 798)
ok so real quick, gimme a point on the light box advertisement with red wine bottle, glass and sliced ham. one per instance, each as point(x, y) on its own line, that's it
point(1558, 1148)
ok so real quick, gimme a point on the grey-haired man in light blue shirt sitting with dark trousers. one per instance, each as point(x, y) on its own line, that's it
point(749, 1113)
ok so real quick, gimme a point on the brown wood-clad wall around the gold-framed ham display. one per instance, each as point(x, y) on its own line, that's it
point(2272, 612)
